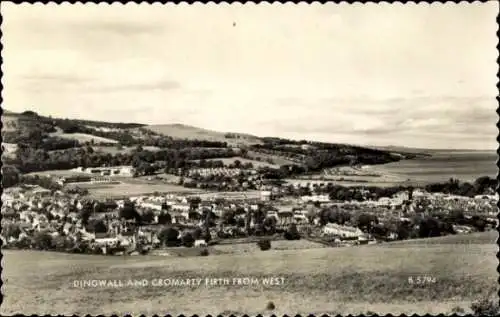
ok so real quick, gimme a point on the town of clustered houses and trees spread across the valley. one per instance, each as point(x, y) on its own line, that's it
point(65, 220)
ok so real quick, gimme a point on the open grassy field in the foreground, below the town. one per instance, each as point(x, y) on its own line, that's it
point(323, 280)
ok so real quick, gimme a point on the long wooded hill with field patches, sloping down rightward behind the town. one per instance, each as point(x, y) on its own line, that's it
point(181, 142)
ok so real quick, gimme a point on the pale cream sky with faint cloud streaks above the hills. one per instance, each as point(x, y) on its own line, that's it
point(376, 74)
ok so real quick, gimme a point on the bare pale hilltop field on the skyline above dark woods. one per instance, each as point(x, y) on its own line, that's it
point(181, 131)
